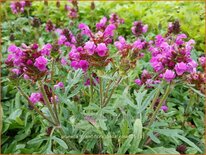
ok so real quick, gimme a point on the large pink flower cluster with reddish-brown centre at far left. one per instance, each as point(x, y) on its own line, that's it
point(28, 60)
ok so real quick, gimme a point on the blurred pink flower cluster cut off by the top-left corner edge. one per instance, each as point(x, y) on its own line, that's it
point(18, 6)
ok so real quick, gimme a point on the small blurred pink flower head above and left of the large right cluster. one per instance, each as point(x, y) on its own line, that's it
point(138, 28)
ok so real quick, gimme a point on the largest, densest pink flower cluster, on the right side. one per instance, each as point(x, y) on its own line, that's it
point(171, 57)
